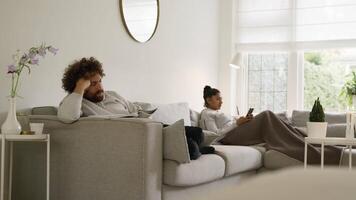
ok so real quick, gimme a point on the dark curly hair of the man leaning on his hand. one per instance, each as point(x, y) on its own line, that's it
point(85, 68)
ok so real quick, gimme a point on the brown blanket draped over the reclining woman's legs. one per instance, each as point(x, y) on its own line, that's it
point(280, 136)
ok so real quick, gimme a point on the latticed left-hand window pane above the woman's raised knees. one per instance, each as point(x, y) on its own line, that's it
point(267, 81)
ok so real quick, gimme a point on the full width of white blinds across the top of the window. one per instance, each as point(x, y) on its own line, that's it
point(283, 21)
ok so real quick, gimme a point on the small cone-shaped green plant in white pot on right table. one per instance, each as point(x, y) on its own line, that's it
point(317, 126)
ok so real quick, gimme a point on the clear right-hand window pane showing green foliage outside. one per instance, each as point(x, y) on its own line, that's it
point(325, 72)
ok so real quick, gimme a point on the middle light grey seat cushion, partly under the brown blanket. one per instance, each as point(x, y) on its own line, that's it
point(239, 158)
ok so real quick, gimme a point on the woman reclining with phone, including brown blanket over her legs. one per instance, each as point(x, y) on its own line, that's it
point(266, 128)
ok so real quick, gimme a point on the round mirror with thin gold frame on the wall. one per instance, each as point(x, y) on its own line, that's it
point(140, 18)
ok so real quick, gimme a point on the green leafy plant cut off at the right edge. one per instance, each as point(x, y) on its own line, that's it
point(348, 91)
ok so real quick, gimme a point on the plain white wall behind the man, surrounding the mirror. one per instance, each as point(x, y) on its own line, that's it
point(174, 66)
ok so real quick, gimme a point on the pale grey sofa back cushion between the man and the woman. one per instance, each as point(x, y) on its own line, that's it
point(170, 113)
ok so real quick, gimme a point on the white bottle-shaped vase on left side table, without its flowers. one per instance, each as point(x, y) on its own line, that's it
point(11, 125)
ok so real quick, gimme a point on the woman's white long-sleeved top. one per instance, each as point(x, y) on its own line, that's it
point(216, 121)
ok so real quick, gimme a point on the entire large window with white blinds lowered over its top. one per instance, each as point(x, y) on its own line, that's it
point(318, 41)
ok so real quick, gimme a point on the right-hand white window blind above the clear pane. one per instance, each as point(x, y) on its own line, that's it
point(325, 20)
